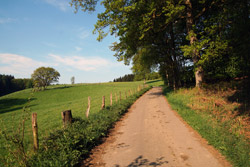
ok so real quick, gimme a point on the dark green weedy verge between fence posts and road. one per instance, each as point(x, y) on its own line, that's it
point(70, 146)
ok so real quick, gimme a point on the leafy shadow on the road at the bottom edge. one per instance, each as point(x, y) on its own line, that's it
point(140, 161)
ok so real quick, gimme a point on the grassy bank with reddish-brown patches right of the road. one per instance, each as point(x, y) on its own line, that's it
point(219, 120)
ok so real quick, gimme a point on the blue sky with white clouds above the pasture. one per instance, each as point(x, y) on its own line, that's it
point(35, 33)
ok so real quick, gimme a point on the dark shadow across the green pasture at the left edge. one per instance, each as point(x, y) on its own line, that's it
point(12, 104)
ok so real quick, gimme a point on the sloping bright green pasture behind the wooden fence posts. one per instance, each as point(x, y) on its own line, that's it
point(50, 103)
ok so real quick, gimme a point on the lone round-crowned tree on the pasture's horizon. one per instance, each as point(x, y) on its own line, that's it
point(44, 76)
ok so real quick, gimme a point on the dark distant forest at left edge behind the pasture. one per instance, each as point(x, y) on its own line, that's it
point(9, 84)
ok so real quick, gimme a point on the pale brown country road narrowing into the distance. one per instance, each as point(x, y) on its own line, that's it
point(151, 134)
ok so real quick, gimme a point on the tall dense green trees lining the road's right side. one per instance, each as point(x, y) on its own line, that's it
point(186, 40)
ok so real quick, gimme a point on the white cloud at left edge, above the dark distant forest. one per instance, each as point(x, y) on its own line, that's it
point(18, 65)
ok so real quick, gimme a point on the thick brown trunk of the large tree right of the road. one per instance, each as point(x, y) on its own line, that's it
point(196, 55)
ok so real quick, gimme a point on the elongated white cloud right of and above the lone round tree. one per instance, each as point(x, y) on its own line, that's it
point(81, 63)
